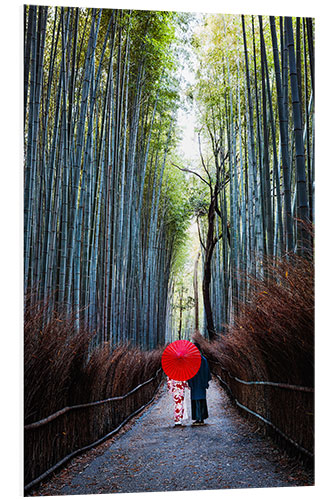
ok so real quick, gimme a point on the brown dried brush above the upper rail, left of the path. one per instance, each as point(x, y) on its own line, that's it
point(58, 371)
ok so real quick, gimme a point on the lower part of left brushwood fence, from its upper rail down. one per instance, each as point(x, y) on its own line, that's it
point(52, 441)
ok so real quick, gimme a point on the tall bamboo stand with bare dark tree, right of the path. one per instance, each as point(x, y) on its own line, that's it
point(255, 97)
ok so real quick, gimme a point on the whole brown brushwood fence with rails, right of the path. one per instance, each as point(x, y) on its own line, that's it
point(265, 359)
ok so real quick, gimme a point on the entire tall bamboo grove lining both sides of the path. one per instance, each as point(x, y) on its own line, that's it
point(106, 211)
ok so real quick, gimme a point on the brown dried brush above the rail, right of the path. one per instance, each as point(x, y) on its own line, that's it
point(272, 338)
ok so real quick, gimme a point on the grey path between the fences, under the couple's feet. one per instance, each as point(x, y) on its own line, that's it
point(151, 455)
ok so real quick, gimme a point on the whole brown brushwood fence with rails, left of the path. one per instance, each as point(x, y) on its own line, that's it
point(72, 400)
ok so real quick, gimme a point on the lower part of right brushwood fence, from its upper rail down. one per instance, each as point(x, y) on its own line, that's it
point(286, 410)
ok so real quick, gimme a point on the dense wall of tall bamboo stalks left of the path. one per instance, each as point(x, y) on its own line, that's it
point(101, 233)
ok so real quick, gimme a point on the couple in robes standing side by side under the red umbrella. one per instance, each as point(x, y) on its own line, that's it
point(198, 385)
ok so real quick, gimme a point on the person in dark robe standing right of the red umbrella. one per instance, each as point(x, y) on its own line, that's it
point(199, 384)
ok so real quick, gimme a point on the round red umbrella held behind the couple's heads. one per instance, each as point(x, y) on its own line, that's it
point(181, 360)
